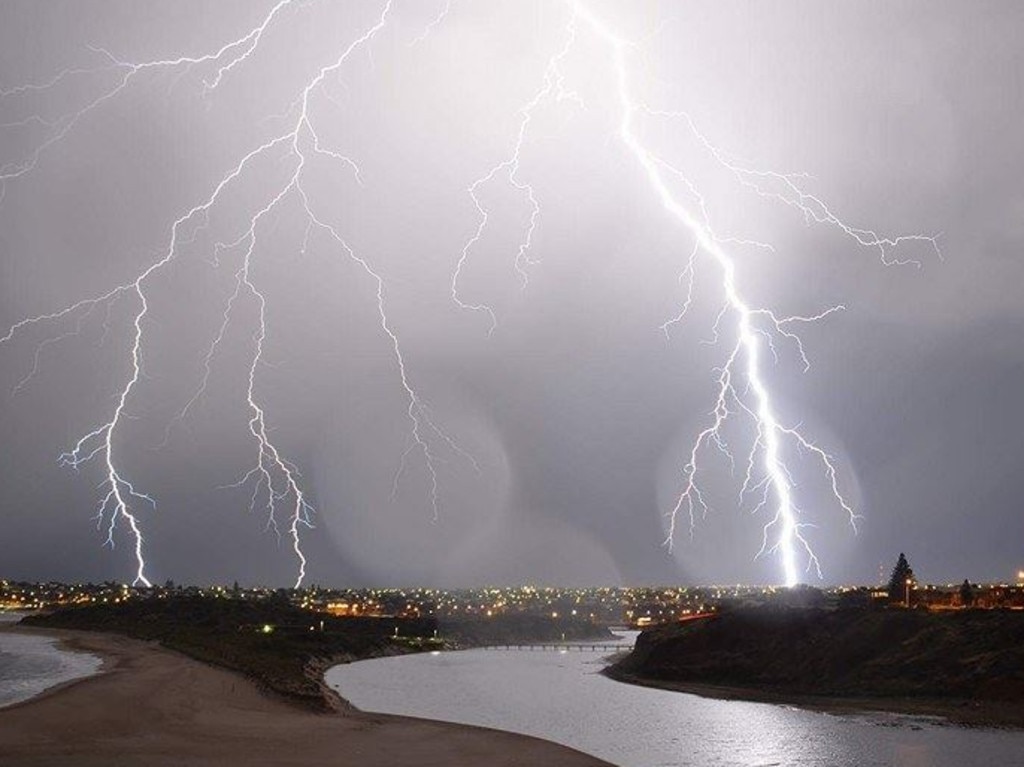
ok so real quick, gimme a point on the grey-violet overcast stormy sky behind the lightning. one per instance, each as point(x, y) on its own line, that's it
point(906, 118)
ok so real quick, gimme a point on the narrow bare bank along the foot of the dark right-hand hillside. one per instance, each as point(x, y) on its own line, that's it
point(953, 712)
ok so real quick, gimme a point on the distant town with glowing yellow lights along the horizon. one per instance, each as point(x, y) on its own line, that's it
point(608, 607)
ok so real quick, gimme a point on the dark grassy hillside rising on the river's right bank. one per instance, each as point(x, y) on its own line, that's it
point(971, 655)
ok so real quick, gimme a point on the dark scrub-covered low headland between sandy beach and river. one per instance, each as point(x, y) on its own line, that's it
point(286, 649)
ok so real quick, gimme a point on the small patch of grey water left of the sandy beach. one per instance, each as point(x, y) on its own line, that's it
point(30, 665)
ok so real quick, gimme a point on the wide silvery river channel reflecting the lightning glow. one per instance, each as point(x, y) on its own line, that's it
point(562, 697)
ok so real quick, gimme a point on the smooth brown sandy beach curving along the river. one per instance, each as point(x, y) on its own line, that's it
point(154, 707)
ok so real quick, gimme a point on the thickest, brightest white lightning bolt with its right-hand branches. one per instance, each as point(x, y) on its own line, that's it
point(754, 326)
